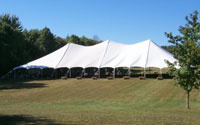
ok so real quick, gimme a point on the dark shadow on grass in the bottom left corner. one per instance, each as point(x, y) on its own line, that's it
point(24, 120)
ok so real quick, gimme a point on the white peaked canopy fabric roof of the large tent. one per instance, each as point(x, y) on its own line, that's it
point(106, 54)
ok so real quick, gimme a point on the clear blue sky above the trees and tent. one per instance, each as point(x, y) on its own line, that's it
point(123, 21)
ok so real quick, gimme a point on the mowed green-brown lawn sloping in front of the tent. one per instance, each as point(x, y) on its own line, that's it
point(99, 101)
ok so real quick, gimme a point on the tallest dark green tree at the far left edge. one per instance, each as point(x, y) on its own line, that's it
point(12, 43)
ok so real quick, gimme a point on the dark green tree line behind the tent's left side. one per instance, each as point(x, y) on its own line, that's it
point(19, 45)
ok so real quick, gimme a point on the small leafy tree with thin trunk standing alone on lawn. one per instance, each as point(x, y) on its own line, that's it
point(187, 54)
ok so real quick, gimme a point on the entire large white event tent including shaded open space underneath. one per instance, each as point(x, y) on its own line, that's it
point(105, 59)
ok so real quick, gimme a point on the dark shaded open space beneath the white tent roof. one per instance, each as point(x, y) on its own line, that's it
point(94, 73)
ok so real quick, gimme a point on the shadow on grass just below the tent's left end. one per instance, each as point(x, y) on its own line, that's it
point(20, 85)
